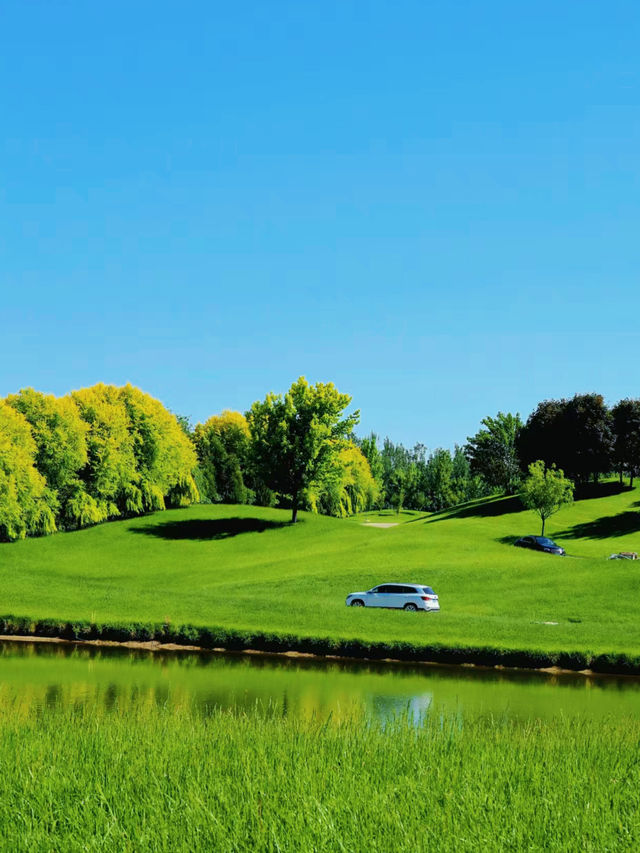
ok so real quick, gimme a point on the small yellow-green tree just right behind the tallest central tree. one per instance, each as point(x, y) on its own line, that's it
point(347, 486)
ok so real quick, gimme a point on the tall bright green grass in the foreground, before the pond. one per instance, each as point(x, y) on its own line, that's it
point(167, 780)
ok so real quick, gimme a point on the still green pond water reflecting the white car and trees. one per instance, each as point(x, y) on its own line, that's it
point(41, 675)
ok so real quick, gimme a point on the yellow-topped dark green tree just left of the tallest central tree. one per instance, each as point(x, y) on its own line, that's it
point(222, 445)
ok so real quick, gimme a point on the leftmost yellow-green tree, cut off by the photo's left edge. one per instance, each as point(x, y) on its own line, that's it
point(26, 506)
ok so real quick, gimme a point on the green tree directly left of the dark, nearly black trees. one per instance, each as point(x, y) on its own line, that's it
point(492, 451)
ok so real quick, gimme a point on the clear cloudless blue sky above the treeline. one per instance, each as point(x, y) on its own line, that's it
point(434, 205)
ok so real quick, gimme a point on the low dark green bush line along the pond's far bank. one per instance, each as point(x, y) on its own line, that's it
point(235, 640)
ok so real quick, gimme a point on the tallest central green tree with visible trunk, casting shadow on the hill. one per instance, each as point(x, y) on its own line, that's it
point(293, 437)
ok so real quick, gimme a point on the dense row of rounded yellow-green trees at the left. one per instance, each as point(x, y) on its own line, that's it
point(98, 453)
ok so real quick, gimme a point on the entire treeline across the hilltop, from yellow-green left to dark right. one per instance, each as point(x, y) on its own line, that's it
point(106, 452)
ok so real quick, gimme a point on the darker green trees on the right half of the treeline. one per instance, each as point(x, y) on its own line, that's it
point(581, 436)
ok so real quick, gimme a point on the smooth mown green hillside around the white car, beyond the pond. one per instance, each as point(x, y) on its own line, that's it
point(247, 568)
